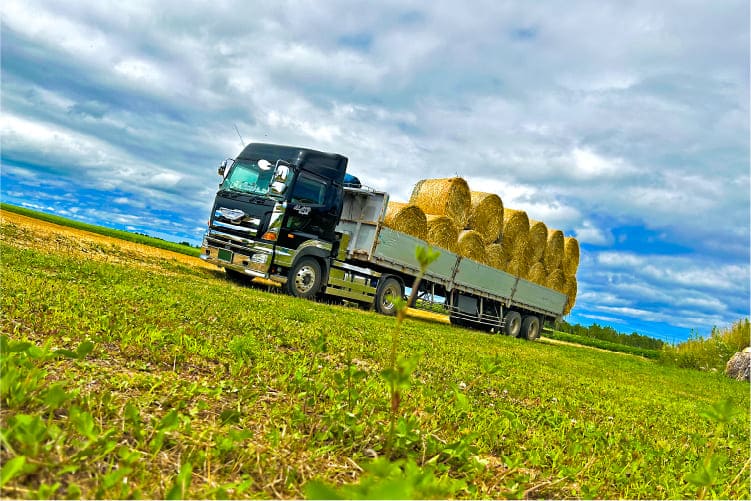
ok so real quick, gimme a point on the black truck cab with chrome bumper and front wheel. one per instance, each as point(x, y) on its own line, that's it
point(275, 213)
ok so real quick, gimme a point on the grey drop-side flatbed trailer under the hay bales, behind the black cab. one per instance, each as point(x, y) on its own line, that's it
point(471, 293)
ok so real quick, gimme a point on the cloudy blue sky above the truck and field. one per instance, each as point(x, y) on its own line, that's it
point(624, 124)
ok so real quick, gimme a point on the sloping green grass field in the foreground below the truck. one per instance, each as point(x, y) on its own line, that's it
point(127, 373)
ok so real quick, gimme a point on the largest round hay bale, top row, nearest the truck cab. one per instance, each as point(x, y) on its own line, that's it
point(445, 197)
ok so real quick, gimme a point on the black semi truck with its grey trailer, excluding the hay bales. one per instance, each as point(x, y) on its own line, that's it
point(295, 217)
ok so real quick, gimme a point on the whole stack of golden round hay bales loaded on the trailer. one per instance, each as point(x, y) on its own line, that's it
point(476, 225)
